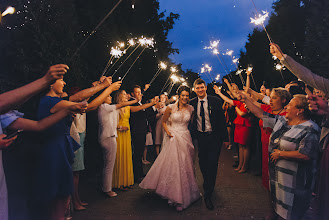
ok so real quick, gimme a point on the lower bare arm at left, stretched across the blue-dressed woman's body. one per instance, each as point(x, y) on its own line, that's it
point(30, 125)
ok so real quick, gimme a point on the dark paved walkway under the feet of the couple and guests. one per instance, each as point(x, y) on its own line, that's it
point(237, 196)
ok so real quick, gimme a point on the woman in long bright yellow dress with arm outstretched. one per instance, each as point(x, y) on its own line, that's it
point(123, 176)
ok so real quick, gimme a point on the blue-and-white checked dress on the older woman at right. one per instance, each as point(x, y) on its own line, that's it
point(291, 181)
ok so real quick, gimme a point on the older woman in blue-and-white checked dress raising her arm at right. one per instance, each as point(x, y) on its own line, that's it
point(293, 153)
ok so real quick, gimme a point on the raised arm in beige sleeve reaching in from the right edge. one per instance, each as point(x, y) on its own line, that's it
point(300, 71)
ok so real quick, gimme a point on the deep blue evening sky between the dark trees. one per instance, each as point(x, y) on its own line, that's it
point(204, 20)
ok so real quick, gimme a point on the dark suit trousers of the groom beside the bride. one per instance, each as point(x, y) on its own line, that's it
point(209, 151)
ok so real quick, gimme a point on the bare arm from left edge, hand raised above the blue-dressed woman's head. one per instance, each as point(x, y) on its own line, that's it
point(12, 99)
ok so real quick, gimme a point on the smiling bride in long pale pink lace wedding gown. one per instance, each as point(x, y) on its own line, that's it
point(172, 174)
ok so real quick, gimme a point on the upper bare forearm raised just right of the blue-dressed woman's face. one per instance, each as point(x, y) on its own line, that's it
point(87, 93)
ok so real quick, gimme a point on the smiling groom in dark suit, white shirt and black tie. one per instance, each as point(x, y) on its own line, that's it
point(209, 128)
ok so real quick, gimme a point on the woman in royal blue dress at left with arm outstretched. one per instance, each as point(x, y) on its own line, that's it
point(54, 178)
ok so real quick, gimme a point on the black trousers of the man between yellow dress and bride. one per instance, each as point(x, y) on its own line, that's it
point(138, 147)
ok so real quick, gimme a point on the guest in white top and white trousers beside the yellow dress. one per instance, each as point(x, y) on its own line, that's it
point(108, 117)
